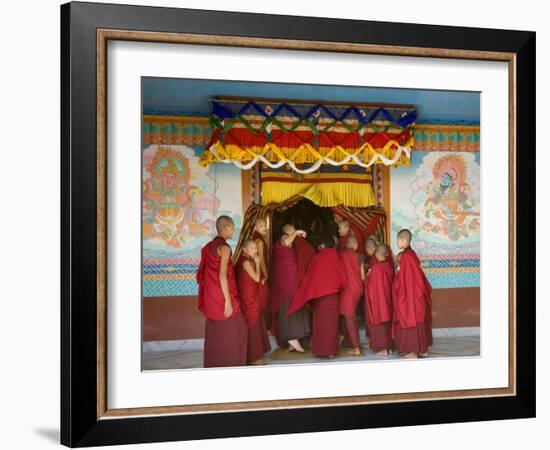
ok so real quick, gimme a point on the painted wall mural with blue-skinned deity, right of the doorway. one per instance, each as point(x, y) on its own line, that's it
point(441, 208)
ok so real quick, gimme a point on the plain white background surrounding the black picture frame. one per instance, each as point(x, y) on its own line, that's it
point(29, 329)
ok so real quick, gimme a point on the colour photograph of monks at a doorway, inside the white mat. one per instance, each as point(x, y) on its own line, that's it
point(308, 224)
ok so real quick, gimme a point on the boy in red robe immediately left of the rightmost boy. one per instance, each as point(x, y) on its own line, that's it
point(379, 305)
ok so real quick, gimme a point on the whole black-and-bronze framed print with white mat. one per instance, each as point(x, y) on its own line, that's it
point(277, 224)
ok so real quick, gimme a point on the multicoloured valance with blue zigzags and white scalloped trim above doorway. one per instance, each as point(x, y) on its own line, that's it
point(291, 134)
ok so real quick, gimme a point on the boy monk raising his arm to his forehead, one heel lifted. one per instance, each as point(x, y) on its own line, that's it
point(288, 329)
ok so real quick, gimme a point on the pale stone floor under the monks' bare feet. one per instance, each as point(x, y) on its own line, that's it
point(191, 357)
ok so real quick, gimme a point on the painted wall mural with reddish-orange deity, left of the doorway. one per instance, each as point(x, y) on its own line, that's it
point(180, 201)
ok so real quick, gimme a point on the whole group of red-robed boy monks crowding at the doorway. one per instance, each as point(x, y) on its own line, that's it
point(310, 297)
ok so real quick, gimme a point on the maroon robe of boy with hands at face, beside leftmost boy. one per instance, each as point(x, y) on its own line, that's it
point(250, 301)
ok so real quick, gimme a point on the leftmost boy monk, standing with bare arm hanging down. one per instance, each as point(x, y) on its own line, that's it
point(225, 336)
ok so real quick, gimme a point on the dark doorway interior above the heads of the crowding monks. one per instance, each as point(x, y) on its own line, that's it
point(317, 221)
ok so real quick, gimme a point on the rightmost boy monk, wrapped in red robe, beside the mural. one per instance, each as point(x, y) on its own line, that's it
point(412, 302)
